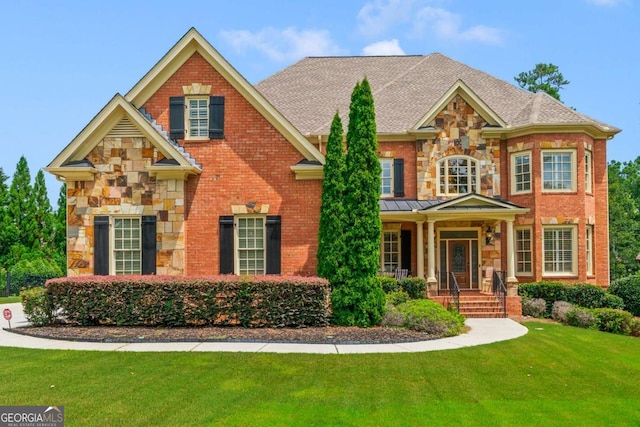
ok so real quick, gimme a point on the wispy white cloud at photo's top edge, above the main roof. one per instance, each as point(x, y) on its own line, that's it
point(379, 16)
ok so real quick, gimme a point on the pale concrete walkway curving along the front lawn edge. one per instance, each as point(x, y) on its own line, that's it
point(483, 331)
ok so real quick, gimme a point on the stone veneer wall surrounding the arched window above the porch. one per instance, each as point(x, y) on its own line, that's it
point(459, 129)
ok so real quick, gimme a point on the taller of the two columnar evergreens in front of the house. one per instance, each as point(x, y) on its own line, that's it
point(360, 299)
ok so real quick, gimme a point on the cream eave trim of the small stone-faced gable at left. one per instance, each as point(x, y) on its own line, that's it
point(71, 161)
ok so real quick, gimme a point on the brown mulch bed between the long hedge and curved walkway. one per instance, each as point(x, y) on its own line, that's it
point(313, 335)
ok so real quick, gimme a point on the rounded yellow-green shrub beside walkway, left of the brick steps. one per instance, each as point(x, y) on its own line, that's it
point(430, 317)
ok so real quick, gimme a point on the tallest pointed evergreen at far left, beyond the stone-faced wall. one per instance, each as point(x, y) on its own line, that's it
point(21, 206)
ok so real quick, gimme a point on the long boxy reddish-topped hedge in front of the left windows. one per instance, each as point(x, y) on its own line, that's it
point(248, 301)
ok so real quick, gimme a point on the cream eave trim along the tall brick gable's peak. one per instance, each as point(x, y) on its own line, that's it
point(193, 42)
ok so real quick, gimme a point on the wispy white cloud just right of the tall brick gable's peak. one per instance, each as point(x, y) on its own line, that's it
point(285, 45)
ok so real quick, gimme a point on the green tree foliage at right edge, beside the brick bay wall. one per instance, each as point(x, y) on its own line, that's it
point(624, 218)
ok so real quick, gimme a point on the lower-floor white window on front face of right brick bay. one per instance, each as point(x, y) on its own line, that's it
point(559, 250)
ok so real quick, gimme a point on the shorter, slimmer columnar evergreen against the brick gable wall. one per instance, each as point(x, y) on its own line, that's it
point(331, 238)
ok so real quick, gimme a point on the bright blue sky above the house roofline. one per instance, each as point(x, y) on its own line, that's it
point(62, 61)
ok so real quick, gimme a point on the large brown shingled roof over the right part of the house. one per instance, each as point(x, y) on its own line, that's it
point(406, 89)
